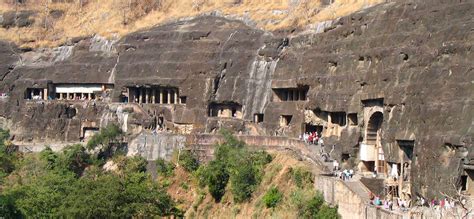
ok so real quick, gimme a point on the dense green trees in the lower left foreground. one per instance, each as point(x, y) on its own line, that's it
point(68, 184)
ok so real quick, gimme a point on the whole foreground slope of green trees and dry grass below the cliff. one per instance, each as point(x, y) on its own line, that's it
point(76, 183)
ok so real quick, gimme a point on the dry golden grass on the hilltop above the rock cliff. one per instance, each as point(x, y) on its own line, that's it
point(115, 18)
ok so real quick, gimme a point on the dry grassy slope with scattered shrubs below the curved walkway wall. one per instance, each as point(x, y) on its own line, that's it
point(293, 178)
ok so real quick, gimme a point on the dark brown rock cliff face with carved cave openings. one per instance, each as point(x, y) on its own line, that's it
point(399, 75)
